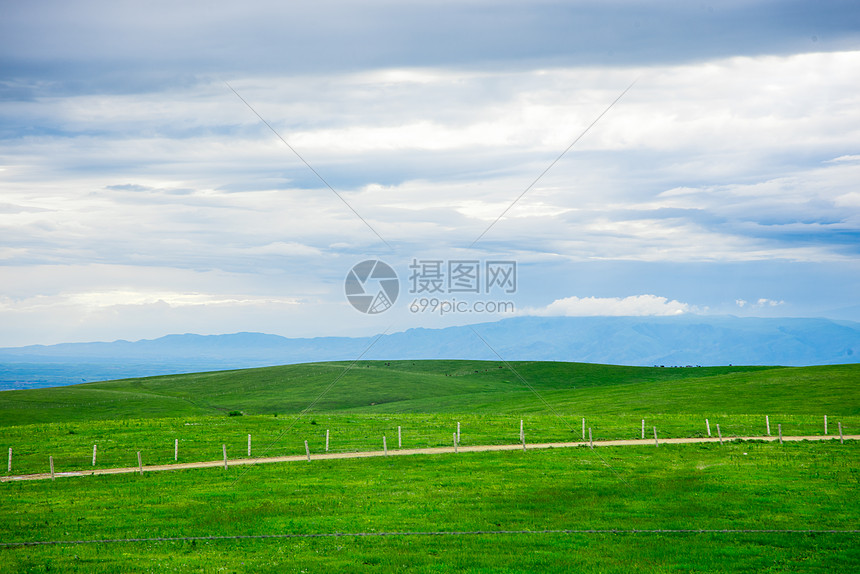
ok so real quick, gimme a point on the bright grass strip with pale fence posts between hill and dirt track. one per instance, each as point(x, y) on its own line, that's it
point(272, 437)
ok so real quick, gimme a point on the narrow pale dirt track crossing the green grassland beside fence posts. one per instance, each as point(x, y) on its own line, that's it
point(410, 451)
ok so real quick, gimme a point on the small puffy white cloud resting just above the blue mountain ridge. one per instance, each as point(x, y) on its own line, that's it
point(634, 305)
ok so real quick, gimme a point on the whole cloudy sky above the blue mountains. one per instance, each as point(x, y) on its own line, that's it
point(215, 167)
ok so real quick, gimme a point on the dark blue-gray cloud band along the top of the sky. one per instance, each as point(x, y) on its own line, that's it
point(128, 47)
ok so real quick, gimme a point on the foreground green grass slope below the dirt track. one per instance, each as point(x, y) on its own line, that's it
point(739, 486)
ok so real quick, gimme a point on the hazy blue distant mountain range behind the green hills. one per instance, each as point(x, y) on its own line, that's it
point(670, 341)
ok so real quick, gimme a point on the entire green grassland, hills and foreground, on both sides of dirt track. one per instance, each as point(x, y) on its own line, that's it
point(738, 486)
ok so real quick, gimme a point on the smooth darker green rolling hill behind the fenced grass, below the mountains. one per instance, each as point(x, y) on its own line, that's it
point(448, 386)
